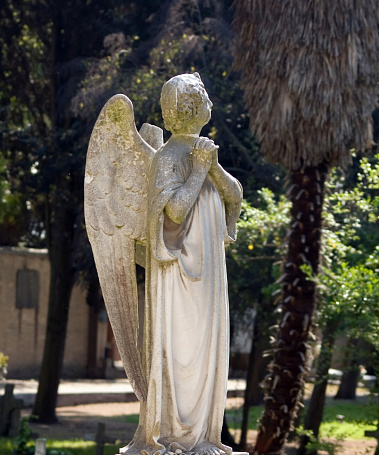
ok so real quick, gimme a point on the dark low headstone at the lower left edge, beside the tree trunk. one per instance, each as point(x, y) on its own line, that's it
point(10, 410)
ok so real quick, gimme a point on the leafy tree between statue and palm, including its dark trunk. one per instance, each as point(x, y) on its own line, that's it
point(252, 270)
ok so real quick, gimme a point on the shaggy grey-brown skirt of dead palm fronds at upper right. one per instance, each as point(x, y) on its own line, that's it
point(310, 73)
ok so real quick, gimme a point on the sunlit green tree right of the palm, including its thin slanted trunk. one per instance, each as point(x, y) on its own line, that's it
point(348, 282)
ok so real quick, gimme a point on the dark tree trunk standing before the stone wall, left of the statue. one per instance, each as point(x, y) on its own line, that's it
point(61, 283)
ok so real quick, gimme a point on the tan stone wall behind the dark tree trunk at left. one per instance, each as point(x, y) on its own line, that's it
point(23, 317)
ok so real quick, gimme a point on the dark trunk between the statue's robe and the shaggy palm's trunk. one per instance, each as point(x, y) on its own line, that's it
point(255, 374)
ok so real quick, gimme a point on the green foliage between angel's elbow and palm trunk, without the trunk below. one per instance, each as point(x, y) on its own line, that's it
point(251, 261)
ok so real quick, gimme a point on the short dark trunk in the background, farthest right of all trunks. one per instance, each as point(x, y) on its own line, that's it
point(351, 373)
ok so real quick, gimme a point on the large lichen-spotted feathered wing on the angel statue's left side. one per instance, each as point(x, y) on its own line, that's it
point(115, 195)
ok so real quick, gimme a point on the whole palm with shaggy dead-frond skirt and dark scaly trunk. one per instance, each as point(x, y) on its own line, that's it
point(309, 70)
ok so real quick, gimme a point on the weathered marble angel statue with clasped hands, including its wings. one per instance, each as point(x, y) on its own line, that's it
point(177, 200)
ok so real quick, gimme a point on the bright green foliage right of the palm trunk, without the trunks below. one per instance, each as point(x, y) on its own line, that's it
point(348, 283)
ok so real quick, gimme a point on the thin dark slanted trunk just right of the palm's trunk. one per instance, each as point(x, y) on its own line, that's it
point(315, 409)
